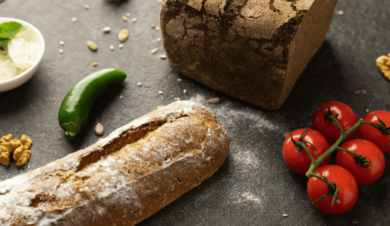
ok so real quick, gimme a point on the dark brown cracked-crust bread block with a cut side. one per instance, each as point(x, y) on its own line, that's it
point(253, 50)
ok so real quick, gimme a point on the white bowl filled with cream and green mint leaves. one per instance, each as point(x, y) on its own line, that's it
point(21, 51)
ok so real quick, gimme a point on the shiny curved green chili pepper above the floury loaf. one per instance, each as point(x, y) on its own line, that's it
point(75, 108)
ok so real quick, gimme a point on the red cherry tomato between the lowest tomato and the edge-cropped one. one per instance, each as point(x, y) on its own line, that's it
point(372, 153)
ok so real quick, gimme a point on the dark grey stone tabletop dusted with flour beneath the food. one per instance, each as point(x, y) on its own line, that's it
point(261, 187)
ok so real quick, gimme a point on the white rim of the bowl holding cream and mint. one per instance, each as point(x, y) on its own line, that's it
point(40, 36)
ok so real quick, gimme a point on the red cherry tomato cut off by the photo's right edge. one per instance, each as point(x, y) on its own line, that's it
point(374, 135)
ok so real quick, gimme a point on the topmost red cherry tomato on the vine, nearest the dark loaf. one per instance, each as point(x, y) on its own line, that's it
point(346, 117)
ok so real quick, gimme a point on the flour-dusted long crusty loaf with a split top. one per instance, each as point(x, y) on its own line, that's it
point(124, 178)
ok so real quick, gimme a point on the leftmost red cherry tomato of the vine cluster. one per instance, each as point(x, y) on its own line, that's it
point(299, 161)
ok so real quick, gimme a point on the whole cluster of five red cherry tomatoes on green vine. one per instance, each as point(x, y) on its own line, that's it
point(334, 188)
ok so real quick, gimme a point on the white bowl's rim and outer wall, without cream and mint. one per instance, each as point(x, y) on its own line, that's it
point(33, 35)
